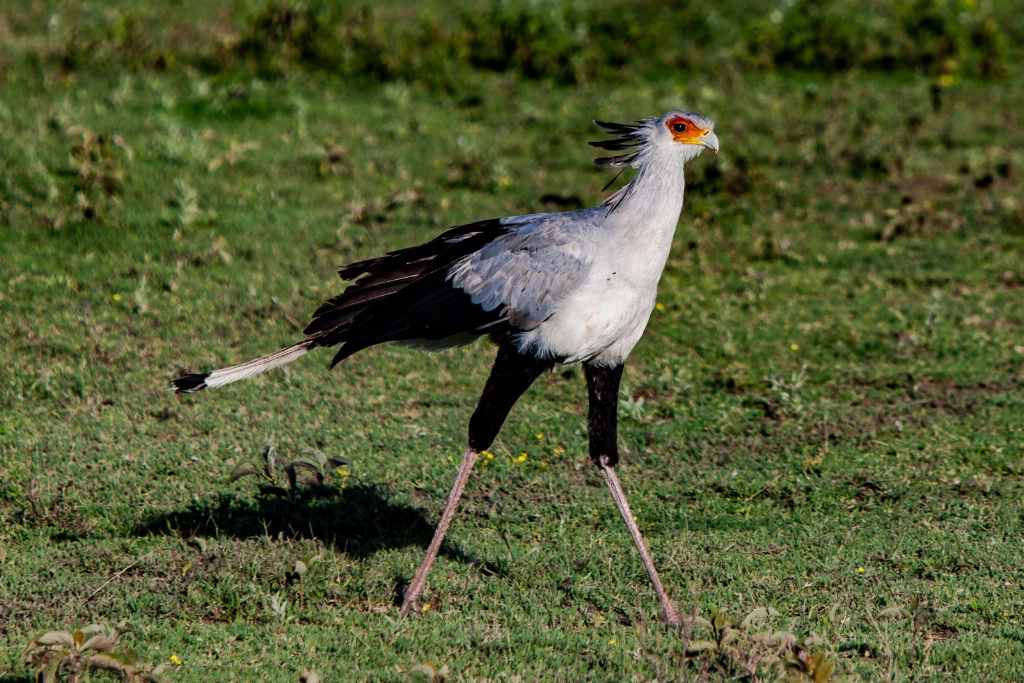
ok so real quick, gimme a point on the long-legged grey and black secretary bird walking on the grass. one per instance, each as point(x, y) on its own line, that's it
point(577, 287)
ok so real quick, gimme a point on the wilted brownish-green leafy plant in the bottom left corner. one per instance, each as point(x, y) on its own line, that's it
point(74, 657)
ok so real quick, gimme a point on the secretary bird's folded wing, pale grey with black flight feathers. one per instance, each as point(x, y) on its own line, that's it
point(488, 278)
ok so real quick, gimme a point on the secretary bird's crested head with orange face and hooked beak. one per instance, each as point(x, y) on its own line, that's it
point(686, 133)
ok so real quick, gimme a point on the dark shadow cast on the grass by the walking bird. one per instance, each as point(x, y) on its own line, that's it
point(360, 523)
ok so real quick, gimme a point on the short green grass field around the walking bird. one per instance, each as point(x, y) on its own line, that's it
point(824, 418)
